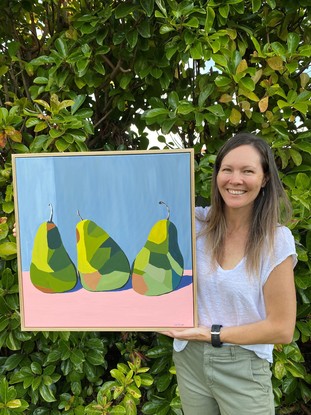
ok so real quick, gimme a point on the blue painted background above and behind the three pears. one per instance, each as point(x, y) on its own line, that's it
point(121, 193)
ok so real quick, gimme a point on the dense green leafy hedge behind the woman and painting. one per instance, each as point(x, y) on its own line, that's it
point(107, 75)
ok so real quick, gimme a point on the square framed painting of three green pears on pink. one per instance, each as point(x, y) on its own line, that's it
point(106, 240)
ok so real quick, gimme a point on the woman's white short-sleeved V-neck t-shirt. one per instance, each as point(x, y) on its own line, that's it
point(233, 297)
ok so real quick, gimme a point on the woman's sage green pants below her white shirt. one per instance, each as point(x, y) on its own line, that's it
point(228, 381)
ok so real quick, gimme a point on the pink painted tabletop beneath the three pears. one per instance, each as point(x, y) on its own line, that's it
point(83, 309)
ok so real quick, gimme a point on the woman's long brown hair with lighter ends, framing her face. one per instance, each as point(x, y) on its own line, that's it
point(270, 204)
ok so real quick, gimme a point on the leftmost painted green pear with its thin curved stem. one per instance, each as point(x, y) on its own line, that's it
point(51, 269)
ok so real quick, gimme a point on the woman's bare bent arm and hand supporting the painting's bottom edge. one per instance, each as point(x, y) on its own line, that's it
point(277, 327)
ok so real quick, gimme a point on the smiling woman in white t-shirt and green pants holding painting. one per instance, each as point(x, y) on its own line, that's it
point(246, 292)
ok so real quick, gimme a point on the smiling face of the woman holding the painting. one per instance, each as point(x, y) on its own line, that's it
point(240, 177)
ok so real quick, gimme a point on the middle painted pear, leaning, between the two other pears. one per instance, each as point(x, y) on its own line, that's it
point(102, 264)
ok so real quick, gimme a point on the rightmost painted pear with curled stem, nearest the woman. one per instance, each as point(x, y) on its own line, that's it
point(159, 266)
